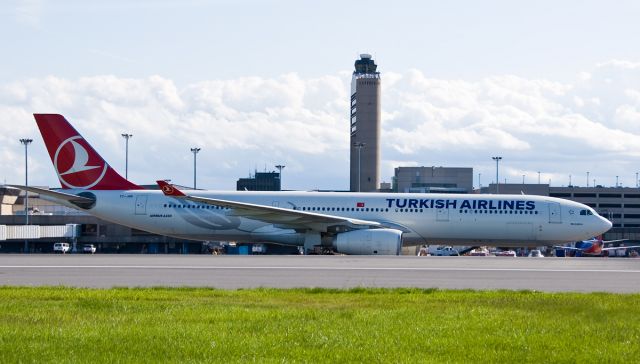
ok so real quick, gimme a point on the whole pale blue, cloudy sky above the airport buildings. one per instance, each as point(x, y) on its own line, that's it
point(551, 87)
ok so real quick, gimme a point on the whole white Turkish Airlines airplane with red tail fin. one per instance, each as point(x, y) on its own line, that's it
point(350, 223)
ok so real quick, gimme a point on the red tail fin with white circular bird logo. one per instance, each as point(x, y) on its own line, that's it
point(77, 164)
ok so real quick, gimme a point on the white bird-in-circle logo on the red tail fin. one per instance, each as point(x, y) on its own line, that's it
point(75, 167)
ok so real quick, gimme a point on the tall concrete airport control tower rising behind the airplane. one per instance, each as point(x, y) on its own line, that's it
point(365, 125)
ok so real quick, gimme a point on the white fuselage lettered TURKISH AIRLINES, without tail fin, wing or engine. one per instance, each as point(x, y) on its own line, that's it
point(501, 220)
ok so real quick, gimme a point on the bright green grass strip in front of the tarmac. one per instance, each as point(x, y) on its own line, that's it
point(315, 325)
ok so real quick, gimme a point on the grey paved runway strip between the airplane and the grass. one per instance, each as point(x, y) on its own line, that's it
point(234, 272)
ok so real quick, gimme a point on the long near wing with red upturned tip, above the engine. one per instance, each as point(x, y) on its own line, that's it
point(294, 219)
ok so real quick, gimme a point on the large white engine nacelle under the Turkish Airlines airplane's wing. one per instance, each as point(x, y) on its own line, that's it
point(369, 242)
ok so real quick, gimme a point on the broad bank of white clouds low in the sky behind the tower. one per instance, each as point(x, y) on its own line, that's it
point(591, 124)
